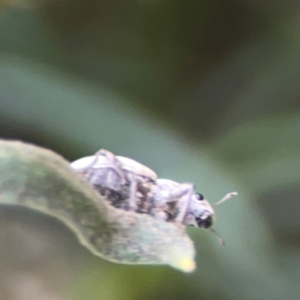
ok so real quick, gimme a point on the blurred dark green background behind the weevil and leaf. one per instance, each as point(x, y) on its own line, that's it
point(203, 91)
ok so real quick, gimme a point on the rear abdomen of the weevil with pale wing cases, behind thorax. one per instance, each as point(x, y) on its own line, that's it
point(124, 182)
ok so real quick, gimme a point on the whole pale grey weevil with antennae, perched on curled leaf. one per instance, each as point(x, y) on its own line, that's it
point(129, 185)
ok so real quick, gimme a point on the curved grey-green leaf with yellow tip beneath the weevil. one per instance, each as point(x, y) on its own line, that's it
point(41, 180)
